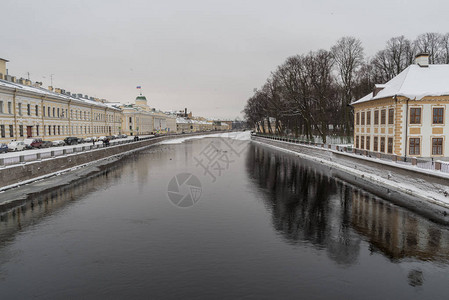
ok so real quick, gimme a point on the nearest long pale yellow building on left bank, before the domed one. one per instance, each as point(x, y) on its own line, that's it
point(27, 110)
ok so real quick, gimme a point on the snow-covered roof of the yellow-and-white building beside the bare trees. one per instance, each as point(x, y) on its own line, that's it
point(415, 83)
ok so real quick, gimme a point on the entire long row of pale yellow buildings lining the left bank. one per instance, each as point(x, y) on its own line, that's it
point(27, 110)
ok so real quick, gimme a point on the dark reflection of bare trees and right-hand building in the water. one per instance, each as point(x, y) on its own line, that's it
point(307, 206)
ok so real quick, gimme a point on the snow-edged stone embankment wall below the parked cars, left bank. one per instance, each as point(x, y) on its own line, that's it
point(24, 173)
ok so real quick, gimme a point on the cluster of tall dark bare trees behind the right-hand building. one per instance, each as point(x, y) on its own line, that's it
point(309, 94)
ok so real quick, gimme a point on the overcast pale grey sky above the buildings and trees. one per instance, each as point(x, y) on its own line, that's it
point(204, 55)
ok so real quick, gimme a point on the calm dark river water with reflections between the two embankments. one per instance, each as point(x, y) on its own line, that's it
point(218, 219)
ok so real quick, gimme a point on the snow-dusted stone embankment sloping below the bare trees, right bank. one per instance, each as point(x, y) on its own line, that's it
point(425, 192)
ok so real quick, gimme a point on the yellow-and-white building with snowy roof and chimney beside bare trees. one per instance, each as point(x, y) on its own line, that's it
point(407, 115)
